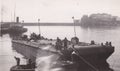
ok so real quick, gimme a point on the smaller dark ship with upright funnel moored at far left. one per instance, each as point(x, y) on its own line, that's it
point(12, 27)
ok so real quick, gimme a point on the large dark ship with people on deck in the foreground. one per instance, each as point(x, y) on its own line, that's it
point(91, 56)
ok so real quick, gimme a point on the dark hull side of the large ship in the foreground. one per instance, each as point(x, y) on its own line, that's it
point(90, 57)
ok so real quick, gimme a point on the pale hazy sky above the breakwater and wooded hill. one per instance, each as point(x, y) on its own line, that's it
point(56, 10)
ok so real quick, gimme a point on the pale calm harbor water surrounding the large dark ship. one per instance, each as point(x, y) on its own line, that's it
point(100, 34)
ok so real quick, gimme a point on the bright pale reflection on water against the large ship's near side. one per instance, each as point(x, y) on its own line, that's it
point(46, 63)
